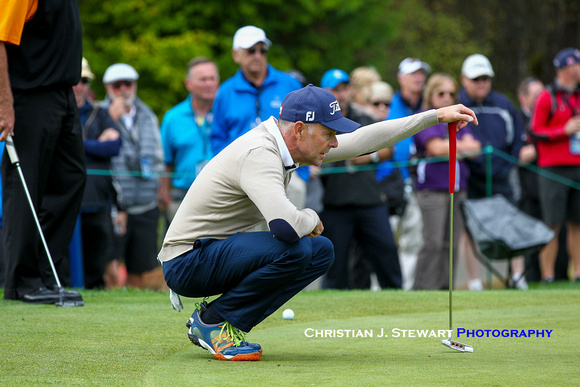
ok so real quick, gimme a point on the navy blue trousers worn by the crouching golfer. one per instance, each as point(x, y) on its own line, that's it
point(254, 273)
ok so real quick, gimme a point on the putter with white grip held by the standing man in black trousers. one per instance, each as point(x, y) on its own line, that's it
point(65, 299)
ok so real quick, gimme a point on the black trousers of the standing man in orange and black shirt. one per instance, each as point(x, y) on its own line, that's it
point(48, 139)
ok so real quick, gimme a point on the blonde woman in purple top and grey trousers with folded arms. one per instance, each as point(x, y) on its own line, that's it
point(432, 183)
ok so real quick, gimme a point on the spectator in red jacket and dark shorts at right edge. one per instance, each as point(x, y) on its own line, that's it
point(556, 123)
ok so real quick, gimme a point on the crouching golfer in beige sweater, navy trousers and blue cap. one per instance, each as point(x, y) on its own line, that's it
point(210, 248)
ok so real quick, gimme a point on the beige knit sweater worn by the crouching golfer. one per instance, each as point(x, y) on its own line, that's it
point(245, 184)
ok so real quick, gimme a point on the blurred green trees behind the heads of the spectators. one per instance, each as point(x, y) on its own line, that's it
point(158, 38)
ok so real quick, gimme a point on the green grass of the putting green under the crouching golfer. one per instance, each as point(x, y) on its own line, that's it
point(130, 337)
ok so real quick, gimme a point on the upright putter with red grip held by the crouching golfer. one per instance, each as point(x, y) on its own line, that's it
point(452, 161)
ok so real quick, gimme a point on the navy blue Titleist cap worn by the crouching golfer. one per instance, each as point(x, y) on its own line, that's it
point(313, 104)
